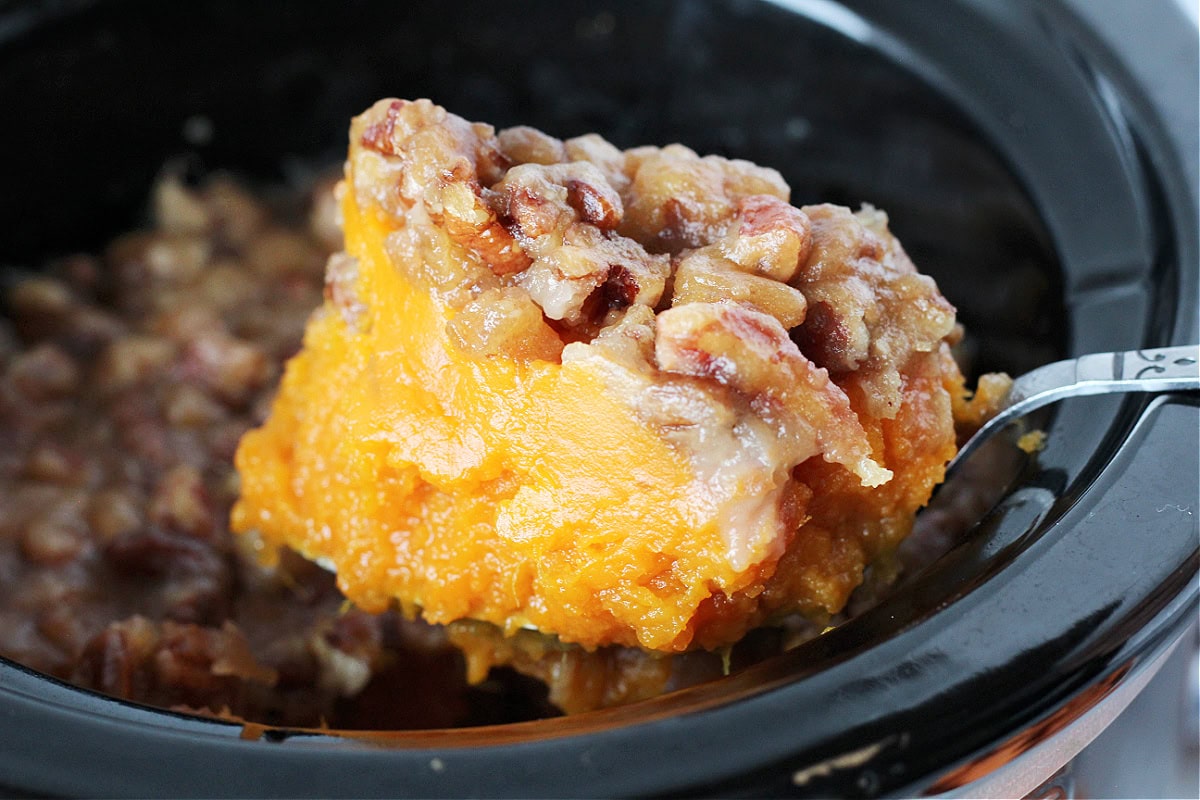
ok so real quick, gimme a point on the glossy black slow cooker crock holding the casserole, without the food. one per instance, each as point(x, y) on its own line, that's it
point(1039, 158)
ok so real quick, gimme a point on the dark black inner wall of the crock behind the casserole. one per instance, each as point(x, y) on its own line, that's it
point(104, 94)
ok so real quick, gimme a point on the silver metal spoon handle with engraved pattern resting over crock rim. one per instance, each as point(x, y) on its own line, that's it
point(1160, 370)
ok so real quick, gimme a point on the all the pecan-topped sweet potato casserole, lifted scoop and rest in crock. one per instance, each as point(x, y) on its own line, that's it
point(581, 413)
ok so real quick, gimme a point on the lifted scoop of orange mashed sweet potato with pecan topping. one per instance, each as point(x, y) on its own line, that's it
point(622, 398)
